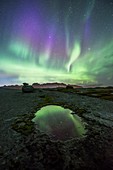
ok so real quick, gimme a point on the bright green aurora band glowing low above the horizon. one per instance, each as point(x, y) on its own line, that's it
point(84, 69)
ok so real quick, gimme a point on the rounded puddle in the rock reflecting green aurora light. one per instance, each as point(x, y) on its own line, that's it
point(59, 123)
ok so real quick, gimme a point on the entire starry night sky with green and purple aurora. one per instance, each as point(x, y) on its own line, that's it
point(67, 41)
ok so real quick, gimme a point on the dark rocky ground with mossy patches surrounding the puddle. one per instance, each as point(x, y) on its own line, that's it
point(24, 147)
